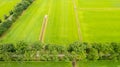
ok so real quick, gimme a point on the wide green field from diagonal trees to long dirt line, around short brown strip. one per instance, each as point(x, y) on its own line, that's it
point(61, 26)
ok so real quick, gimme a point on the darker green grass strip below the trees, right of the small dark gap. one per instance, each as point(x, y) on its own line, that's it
point(98, 64)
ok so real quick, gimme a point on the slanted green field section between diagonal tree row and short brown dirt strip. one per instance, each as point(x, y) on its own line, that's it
point(28, 26)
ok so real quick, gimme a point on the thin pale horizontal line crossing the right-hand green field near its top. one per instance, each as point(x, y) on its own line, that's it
point(99, 9)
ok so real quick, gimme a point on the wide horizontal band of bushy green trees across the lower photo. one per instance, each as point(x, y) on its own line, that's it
point(37, 51)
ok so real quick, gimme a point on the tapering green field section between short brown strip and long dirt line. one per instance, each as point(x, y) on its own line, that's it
point(62, 27)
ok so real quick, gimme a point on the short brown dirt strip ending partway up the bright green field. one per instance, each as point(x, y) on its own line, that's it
point(44, 25)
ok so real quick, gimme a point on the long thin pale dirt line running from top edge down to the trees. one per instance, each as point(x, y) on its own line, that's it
point(77, 21)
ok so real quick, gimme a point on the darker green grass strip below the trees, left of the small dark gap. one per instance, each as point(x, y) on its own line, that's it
point(35, 64)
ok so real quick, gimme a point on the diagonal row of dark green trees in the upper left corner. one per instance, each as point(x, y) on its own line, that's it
point(13, 15)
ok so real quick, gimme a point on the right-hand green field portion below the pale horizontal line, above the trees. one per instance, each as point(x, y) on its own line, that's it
point(101, 26)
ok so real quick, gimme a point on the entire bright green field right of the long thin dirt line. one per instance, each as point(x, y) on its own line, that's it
point(100, 25)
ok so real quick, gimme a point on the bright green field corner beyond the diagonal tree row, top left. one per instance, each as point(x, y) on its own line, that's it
point(6, 6)
